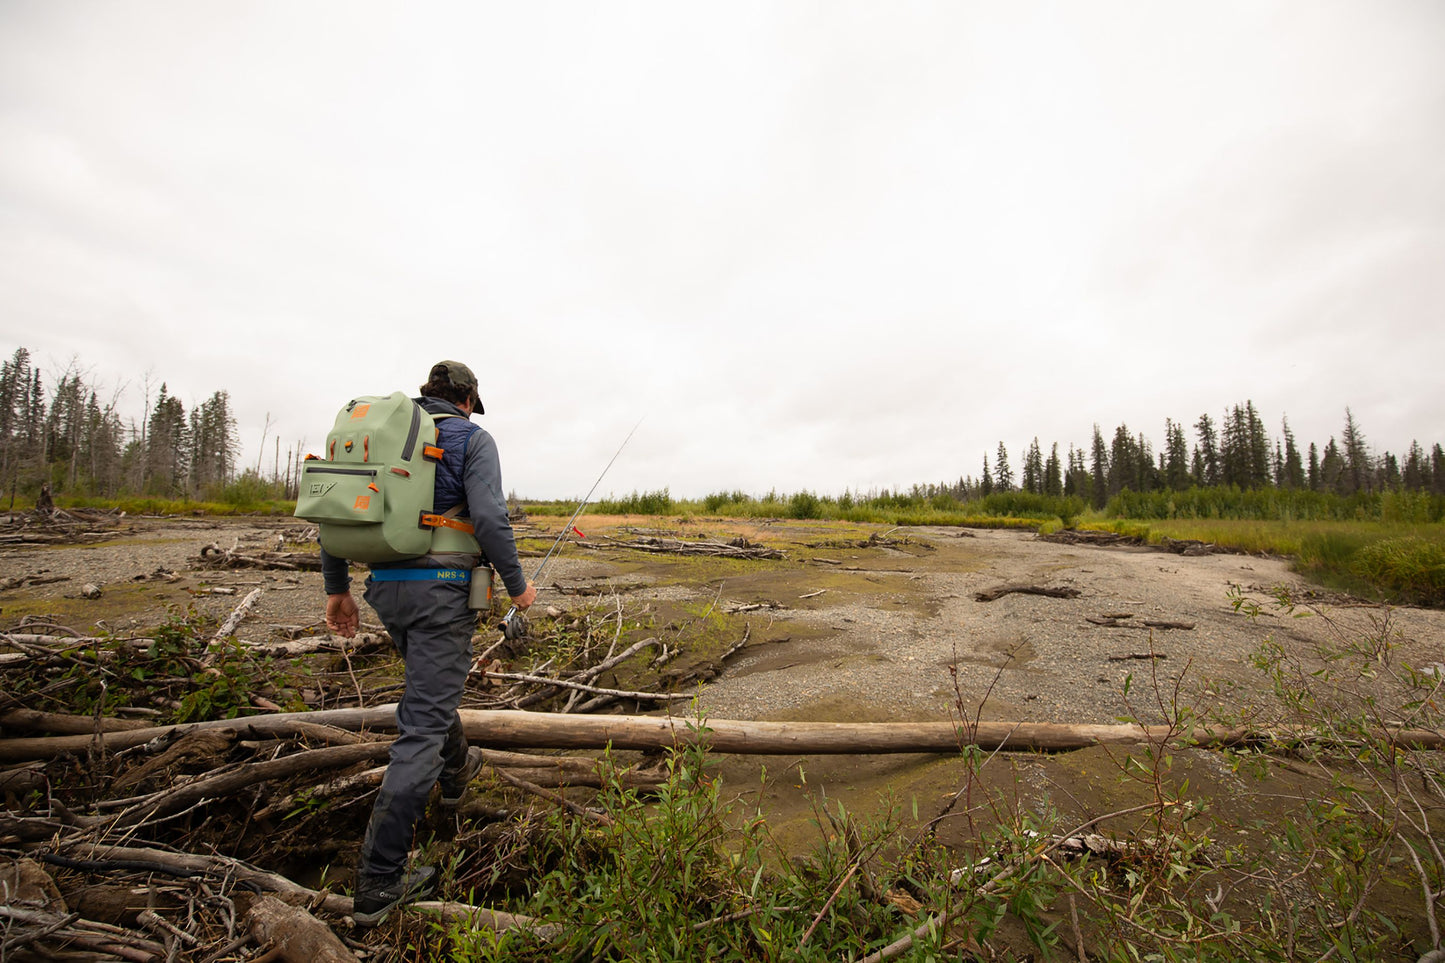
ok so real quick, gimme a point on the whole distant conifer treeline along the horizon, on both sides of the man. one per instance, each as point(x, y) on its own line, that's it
point(66, 436)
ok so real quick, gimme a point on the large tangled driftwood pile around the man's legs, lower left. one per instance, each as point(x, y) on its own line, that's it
point(128, 841)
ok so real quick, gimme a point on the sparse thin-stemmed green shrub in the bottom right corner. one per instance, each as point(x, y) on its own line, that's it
point(1375, 832)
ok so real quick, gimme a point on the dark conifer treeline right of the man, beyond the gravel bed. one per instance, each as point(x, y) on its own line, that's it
point(1235, 469)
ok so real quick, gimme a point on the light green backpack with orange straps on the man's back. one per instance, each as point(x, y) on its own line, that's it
point(372, 495)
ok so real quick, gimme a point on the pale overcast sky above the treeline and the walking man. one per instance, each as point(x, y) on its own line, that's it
point(810, 245)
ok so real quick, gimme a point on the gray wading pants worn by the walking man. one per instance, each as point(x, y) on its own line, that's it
point(431, 627)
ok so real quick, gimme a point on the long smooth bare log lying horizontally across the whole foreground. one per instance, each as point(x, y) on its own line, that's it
point(508, 729)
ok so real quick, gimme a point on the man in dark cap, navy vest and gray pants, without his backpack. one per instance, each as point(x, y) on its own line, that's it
point(424, 605)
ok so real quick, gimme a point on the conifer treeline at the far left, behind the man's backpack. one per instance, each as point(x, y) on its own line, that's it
point(69, 439)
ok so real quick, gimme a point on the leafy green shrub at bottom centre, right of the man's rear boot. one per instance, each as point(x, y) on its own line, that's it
point(683, 874)
